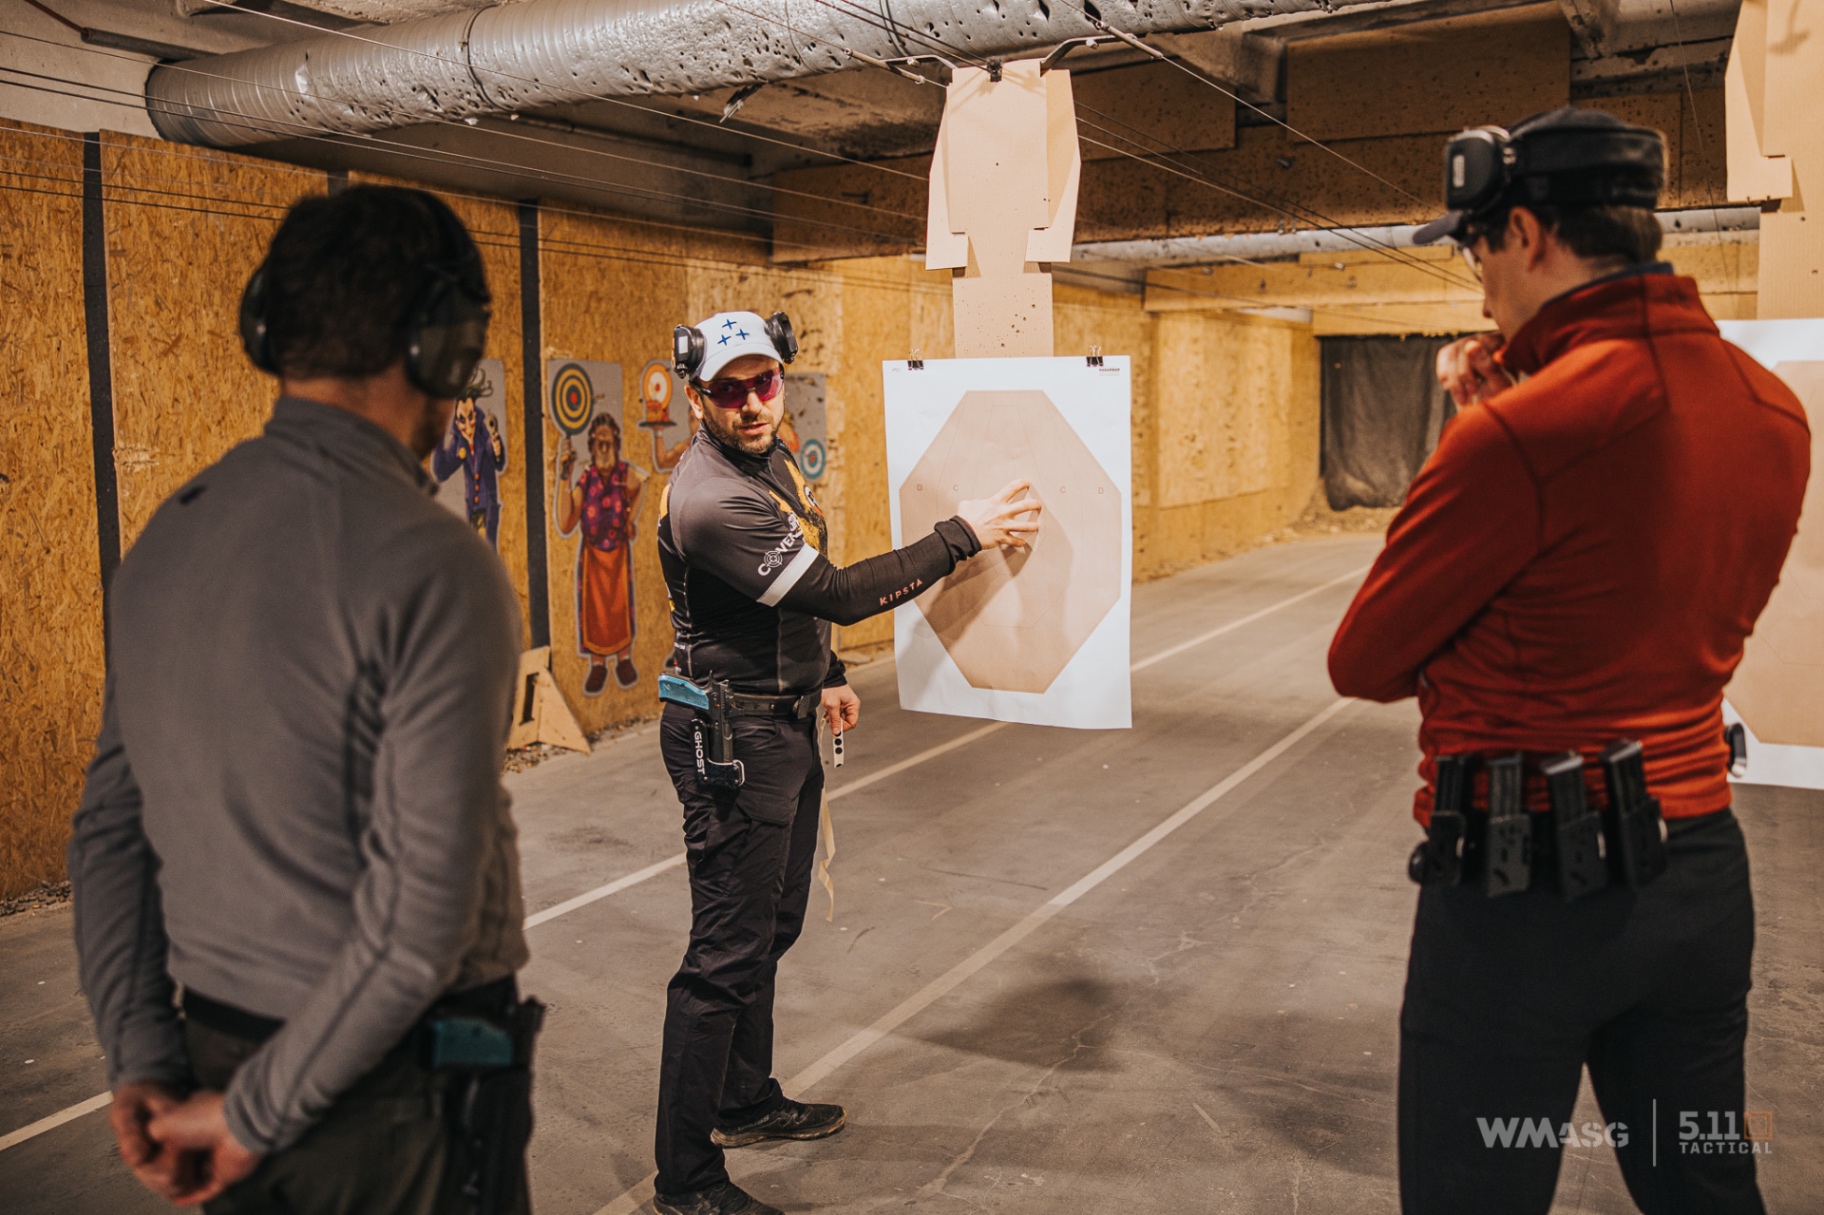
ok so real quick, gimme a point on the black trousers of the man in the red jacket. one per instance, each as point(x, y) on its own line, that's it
point(1508, 1001)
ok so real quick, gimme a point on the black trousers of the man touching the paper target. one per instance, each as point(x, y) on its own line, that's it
point(751, 860)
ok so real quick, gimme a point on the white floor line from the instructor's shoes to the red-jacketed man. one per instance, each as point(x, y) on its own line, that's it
point(1031, 924)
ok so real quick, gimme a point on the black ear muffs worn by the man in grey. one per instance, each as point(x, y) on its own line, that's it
point(446, 335)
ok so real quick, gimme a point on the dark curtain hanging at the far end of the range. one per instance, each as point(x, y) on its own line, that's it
point(1384, 411)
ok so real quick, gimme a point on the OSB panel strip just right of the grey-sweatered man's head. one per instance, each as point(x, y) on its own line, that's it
point(497, 231)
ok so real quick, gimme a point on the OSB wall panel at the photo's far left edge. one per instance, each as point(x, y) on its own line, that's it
point(52, 599)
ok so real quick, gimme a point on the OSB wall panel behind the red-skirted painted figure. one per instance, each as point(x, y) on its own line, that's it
point(610, 293)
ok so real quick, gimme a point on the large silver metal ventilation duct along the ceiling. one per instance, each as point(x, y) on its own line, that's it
point(539, 54)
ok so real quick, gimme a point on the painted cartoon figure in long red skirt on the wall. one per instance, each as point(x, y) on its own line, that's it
point(605, 501)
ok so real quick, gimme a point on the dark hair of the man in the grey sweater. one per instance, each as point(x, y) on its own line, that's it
point(346, 276)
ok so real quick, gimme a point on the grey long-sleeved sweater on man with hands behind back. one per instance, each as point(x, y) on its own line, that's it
point(295, 804)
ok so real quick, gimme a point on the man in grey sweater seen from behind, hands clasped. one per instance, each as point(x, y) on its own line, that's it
point(295, 809)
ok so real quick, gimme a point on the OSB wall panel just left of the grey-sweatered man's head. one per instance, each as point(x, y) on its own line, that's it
point(185, 231)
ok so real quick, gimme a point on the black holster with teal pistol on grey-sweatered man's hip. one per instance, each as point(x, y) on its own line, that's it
point(488, 1103)
